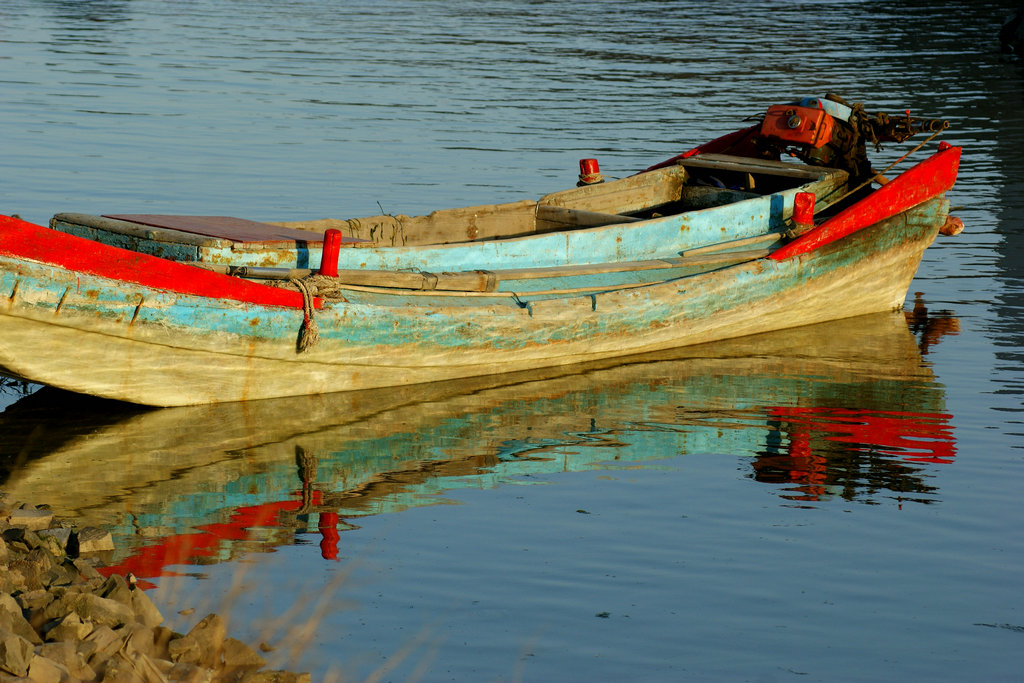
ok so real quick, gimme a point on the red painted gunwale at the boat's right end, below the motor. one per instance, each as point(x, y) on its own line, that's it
point(919, 184)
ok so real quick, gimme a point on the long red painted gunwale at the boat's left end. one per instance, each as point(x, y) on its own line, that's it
point(23, 240)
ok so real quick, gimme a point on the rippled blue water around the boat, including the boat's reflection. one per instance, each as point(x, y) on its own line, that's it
point(837, 504)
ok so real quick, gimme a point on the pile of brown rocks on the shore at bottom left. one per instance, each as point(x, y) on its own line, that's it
point(62, 620)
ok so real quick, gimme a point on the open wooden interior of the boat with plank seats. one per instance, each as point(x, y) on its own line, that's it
point(698, 183)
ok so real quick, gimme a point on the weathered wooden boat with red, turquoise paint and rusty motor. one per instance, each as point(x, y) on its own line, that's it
point(721, 242)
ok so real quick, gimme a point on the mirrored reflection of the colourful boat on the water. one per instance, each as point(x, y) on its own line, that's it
point(843, 410)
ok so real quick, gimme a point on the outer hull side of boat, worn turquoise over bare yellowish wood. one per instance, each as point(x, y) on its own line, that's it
point(156, 347)
